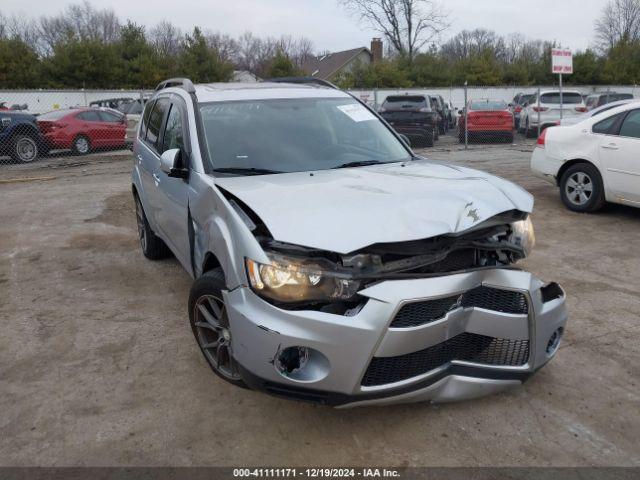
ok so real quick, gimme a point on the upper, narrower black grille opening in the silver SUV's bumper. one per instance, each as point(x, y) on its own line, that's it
point(420, 313)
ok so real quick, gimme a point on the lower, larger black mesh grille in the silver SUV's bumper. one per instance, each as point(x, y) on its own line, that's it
point(468, 347)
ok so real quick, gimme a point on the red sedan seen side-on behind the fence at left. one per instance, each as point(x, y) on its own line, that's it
point(83, 129)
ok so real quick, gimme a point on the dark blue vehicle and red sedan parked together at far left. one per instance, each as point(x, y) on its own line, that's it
point(25, 137)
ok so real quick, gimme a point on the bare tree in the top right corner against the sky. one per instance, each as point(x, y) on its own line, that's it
point(619, 20)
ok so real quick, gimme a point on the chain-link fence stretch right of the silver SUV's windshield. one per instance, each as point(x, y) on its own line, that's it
point(467, 117)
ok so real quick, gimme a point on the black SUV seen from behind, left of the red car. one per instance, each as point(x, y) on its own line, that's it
point(412, 115)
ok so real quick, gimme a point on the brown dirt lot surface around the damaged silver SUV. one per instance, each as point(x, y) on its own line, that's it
point(98, 365)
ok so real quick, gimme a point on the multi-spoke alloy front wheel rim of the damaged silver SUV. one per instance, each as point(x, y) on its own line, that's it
point(214, 335)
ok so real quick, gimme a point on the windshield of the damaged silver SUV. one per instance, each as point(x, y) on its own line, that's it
point(294, 135)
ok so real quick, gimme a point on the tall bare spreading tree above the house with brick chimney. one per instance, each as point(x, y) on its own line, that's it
point(408, 25)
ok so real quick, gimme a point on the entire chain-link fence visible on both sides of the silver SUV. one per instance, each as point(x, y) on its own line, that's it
point(36, 124)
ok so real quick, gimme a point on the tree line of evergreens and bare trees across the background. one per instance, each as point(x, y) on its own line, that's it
point(87, 47)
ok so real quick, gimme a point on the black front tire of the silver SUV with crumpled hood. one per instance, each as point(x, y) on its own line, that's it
point(205, 292)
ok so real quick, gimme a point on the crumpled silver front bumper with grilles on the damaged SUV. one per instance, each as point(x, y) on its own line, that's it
point(447, 338)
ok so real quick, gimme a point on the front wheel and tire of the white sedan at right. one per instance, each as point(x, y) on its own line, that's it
point(589, 198)
